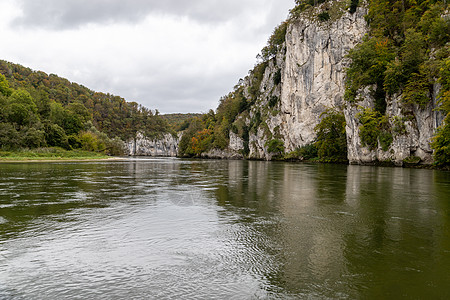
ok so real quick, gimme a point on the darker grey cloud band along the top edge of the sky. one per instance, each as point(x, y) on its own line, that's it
point(67, 14)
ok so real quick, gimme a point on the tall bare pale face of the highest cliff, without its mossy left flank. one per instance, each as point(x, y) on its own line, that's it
point(313, 77)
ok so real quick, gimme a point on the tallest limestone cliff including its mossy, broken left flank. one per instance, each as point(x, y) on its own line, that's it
point(312, 64)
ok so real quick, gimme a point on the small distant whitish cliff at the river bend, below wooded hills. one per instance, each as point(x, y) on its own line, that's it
point(166, 146)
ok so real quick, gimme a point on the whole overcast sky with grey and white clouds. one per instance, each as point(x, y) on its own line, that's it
point(172, 55)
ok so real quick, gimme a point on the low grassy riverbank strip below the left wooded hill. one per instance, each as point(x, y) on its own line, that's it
point(51, 154)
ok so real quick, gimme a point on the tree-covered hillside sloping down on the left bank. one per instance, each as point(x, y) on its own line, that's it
point(39, 110)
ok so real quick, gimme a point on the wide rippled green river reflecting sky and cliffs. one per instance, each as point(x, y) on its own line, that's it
point(180, 229)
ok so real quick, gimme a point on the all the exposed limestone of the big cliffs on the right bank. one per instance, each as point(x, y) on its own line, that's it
point(312, 63)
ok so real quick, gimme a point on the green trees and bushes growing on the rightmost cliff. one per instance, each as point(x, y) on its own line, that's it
point(405, 53)
